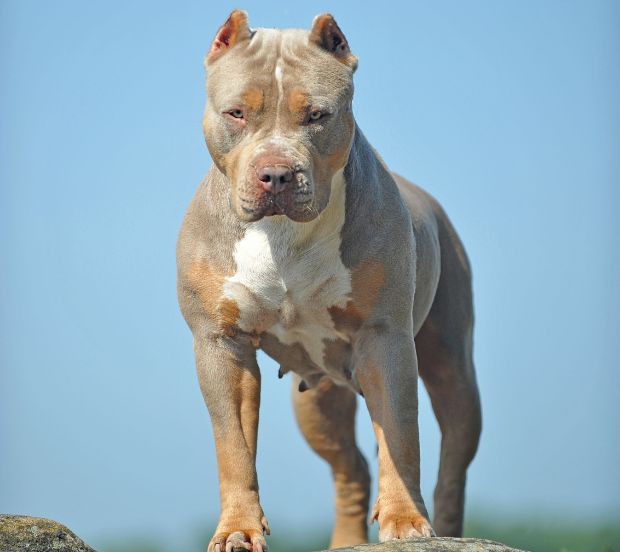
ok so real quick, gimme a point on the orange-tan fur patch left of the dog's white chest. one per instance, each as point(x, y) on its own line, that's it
point(209, 285)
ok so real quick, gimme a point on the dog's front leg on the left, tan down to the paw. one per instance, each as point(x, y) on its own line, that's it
point(230, 382)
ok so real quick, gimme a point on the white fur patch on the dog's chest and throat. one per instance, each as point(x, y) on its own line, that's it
point(288, 275)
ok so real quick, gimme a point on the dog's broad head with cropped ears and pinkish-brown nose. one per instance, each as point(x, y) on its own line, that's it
point(278, 120)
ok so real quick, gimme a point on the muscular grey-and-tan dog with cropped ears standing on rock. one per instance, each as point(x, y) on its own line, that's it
point(302, 243)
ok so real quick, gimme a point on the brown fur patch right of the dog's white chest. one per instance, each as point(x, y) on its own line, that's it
point(367, 280)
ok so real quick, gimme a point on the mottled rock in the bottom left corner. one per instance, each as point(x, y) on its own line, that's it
point(28, 534)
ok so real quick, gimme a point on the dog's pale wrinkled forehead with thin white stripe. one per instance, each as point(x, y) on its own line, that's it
point(274, 59)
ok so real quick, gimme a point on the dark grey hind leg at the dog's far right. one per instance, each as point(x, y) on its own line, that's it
point(445, 364)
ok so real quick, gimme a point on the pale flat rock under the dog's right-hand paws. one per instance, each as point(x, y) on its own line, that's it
point(441, 544)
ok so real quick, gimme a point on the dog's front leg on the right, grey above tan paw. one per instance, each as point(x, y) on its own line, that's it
point(387, 373)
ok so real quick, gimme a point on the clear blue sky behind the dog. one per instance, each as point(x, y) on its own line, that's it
point(507, 112)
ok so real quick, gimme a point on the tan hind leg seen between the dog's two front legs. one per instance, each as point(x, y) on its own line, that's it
point(326, 417)
